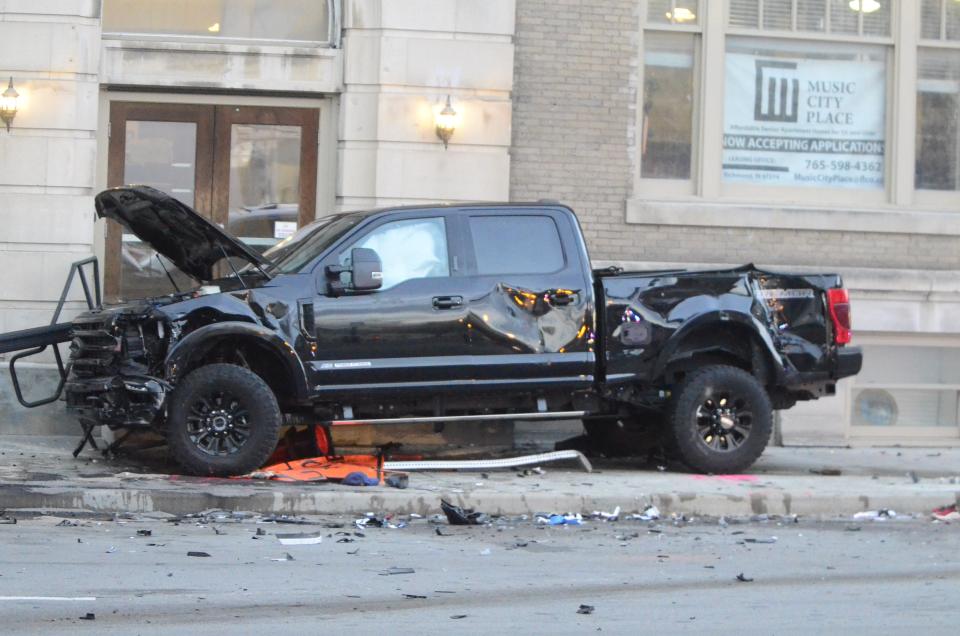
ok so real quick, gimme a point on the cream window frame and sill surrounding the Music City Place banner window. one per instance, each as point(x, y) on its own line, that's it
point(709, 202)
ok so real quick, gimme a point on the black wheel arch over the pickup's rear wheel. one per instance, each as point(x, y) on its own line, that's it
point(743, 344)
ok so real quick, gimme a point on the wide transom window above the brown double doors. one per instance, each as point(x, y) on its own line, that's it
point(259, 20)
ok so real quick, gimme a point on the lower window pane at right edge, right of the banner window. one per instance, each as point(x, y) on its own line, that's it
point(938, 110)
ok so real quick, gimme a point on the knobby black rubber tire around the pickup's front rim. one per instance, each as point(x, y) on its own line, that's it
point(248, 394)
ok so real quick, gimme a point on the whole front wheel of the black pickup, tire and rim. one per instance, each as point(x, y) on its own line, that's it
point(224, 420)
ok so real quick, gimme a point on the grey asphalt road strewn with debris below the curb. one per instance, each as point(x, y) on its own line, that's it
point(512, 577)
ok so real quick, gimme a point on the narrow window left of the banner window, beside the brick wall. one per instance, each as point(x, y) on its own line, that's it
point(671, 42)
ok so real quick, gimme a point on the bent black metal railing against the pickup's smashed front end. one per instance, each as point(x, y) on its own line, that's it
point(30, 342)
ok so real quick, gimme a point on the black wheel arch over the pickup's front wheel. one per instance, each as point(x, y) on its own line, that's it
point(262, 350)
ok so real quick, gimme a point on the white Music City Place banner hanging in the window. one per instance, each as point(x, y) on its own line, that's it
point(798, 115)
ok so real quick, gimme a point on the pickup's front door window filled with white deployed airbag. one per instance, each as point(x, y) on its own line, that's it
point(414, 248)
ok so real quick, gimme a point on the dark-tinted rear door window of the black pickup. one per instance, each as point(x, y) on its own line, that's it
point(516, 245)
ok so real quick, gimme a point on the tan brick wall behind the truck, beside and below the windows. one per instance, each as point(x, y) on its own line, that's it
point(575, 88)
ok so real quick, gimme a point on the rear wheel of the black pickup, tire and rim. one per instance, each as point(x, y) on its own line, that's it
point(720, 420)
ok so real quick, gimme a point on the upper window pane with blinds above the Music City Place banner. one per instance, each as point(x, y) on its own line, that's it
point(841, 17)
